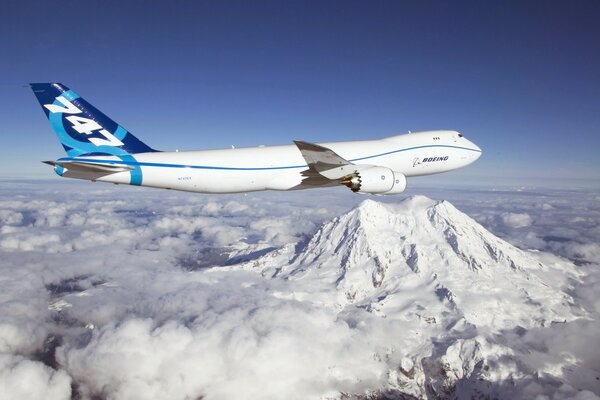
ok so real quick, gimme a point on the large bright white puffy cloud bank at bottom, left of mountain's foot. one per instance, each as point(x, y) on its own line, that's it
point(261, 351)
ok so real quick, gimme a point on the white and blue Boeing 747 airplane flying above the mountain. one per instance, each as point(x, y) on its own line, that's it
point(99, 149)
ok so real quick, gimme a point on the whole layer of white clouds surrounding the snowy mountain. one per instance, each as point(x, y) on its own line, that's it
point(131, 321)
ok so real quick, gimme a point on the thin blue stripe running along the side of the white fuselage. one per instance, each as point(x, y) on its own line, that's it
point(165, 165)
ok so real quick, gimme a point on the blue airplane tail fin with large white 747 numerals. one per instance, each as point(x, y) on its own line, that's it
point(81, 127)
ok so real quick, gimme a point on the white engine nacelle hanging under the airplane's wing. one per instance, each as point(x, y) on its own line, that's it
point(376, 180)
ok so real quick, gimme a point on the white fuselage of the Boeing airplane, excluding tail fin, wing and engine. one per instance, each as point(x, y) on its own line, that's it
point(280, 167)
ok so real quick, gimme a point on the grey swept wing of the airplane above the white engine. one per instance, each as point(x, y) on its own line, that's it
point(324, 161)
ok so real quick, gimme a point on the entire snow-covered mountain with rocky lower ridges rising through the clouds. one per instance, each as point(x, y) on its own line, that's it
point(455, 291)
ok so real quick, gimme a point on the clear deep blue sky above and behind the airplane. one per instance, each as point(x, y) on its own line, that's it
point(518, 78)
